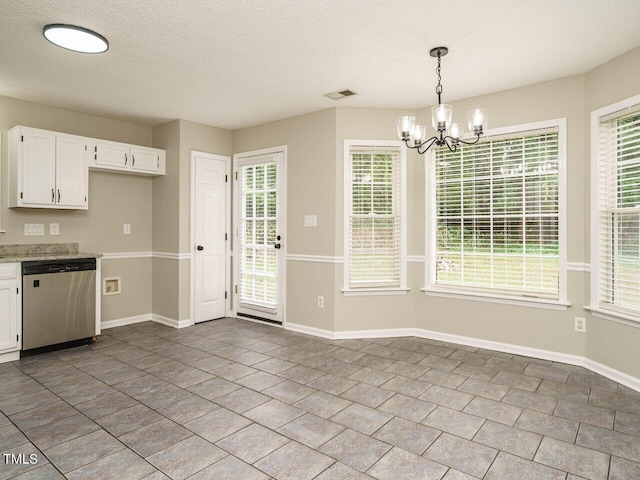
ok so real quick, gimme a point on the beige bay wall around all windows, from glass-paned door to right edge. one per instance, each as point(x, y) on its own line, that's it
point(548, 329)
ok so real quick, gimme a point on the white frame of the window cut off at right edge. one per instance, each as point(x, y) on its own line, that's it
point(616, 110)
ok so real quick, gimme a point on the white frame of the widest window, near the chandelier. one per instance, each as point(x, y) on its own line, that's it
point(485, 294)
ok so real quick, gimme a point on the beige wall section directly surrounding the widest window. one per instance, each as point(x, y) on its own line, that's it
point(539, 328)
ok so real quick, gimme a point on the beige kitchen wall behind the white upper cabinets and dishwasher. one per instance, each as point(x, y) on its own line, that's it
point(114, 199)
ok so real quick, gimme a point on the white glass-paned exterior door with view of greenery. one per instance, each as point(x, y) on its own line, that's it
point(260, 220)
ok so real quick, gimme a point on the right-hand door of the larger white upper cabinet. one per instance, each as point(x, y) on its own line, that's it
point(71, 172)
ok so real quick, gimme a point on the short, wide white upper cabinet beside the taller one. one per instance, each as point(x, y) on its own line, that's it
point(124, 158)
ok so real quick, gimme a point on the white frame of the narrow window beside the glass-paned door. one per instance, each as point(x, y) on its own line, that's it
point(398, 145)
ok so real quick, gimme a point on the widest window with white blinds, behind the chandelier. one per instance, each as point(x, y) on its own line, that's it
point(495, 215)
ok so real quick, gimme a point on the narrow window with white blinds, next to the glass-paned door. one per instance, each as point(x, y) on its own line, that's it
point(375, 225)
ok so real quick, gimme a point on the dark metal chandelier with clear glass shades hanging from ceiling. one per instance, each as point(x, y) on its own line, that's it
point(449, 134)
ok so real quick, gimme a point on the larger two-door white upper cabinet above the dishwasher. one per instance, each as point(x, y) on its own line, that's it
point(47, 169)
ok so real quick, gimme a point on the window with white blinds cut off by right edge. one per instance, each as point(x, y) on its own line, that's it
point(616, 204)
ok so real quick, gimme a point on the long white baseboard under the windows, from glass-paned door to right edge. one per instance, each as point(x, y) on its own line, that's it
point(604, 370)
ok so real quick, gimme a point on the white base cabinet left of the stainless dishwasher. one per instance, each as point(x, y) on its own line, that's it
point(9, 310)
